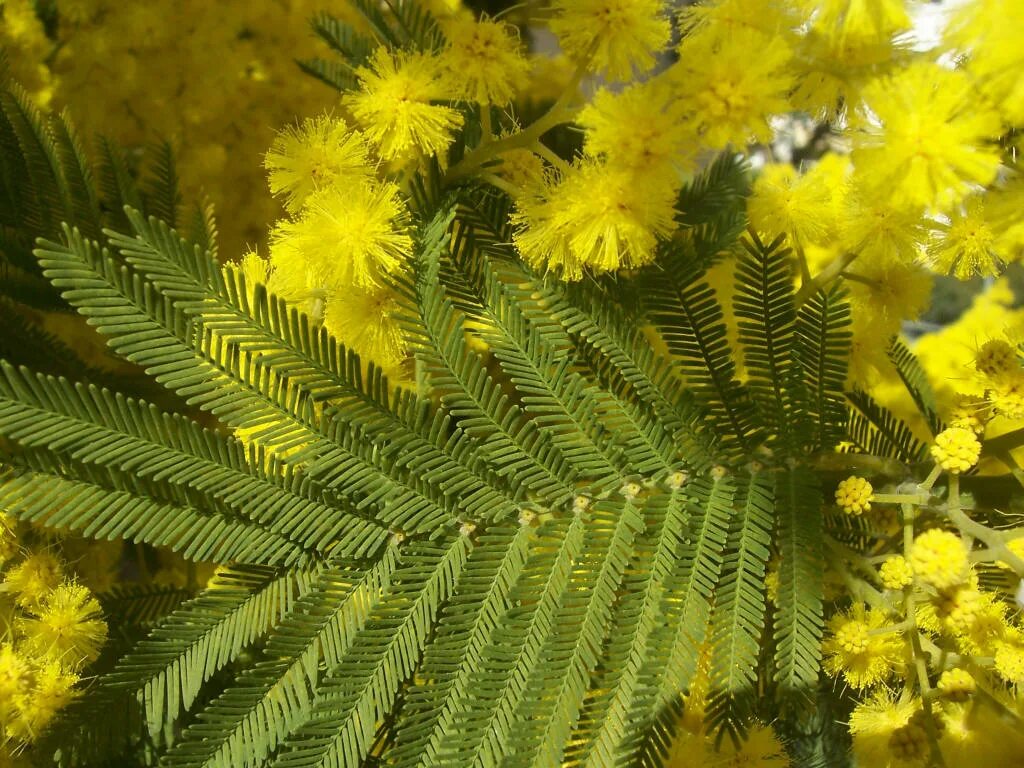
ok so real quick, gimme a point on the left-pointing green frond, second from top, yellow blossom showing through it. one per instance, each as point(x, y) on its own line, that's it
point(147, 326)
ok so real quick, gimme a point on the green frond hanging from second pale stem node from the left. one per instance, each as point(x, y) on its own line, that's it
point(363, 688)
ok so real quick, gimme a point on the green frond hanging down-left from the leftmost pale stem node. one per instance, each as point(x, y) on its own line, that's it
point(250, 720)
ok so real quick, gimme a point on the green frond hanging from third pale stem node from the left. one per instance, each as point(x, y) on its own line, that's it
point(442, 689)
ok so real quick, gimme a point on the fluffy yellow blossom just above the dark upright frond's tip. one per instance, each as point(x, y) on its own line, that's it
point(784, 201)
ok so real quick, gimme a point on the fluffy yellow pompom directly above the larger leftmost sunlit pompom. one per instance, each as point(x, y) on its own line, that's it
point(313, 156)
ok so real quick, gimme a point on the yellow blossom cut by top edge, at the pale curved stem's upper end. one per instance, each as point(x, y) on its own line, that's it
point(620, 36)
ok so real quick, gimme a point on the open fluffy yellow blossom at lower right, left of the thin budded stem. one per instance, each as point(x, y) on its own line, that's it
point(852, 651)
